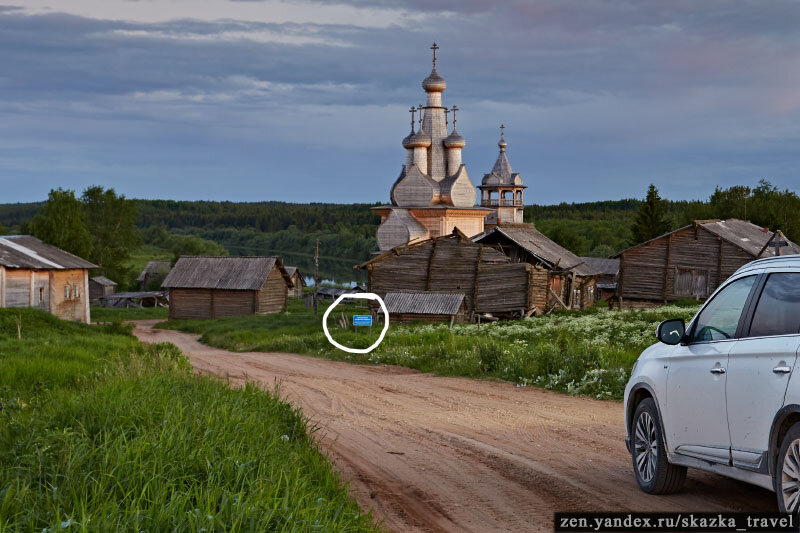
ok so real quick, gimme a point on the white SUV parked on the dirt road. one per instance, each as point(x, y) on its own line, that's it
point(720, 395)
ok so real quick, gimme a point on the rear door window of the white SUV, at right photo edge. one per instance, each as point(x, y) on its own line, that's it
point(778, 309)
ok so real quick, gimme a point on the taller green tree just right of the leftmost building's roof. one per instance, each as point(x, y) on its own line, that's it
point(111, 220)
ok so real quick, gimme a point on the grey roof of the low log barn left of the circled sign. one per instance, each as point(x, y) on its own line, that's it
point(223, 272)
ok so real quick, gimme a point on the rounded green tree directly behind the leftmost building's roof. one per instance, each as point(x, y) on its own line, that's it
point(62, 223)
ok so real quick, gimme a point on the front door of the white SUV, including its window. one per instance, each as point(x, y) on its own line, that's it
point(696, 415)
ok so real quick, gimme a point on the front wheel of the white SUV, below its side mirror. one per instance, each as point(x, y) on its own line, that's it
point(654, 473)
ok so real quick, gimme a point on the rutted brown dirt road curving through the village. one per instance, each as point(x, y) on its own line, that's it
point(431, 453)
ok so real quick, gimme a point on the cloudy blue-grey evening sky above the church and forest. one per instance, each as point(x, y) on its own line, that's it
point(252, 100)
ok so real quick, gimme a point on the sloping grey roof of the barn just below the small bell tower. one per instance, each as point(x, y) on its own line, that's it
point(538, 245)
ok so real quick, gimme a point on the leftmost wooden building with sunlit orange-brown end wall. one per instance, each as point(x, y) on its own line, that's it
point(35, 274)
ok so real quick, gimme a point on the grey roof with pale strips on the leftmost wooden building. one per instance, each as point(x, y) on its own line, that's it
point(28, 252)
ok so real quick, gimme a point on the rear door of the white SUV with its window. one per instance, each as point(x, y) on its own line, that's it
point(759, 367)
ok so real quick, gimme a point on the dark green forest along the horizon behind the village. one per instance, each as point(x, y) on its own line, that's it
point(347, 231)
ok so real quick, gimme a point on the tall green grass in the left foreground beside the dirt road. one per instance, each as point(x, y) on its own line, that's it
point(101, 433)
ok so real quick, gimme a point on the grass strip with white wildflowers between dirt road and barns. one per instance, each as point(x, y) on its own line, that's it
point(589, 352)
